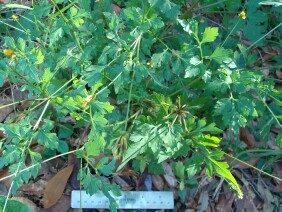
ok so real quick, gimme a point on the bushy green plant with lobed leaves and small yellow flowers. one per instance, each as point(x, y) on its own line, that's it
point(149, 83)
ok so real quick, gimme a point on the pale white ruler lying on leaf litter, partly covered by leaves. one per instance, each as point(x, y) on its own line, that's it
point(127, 200)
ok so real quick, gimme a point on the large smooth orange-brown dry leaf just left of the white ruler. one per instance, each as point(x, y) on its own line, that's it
point(56, 187)
